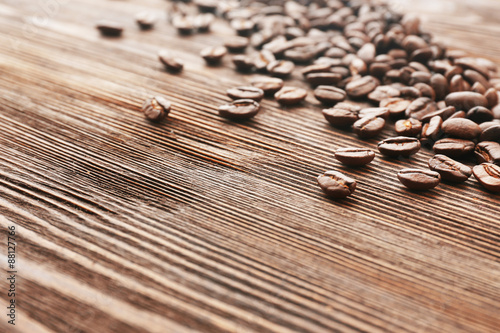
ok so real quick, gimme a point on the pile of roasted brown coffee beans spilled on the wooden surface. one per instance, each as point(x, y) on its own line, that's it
point(353, 52)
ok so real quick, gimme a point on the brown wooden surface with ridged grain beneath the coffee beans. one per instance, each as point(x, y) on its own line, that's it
point(200, 224)
